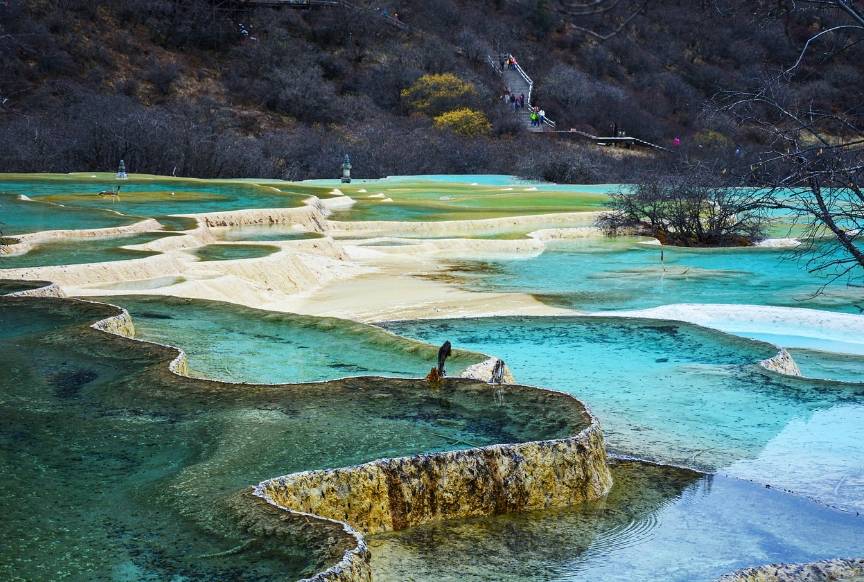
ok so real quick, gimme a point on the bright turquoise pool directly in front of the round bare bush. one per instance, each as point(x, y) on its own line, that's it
point(622, 274)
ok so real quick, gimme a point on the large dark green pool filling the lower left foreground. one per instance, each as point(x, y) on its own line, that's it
point(115, 469)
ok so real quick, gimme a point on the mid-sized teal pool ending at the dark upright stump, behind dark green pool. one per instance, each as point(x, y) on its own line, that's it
point(230, 342)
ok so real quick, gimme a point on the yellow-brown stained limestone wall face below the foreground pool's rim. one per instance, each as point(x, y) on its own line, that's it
point(393, 494)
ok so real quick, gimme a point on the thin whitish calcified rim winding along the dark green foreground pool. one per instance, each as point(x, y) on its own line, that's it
point(355, 562)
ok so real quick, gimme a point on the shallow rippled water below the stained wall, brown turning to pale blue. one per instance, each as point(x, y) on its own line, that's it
point(658, 523)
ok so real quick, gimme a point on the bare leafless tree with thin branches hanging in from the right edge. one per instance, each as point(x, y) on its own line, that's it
point(812, 155)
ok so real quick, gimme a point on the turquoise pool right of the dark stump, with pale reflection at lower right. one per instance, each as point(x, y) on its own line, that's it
point(681, 394)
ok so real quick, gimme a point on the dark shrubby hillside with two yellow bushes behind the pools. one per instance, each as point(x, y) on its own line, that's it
point(219, 88)
